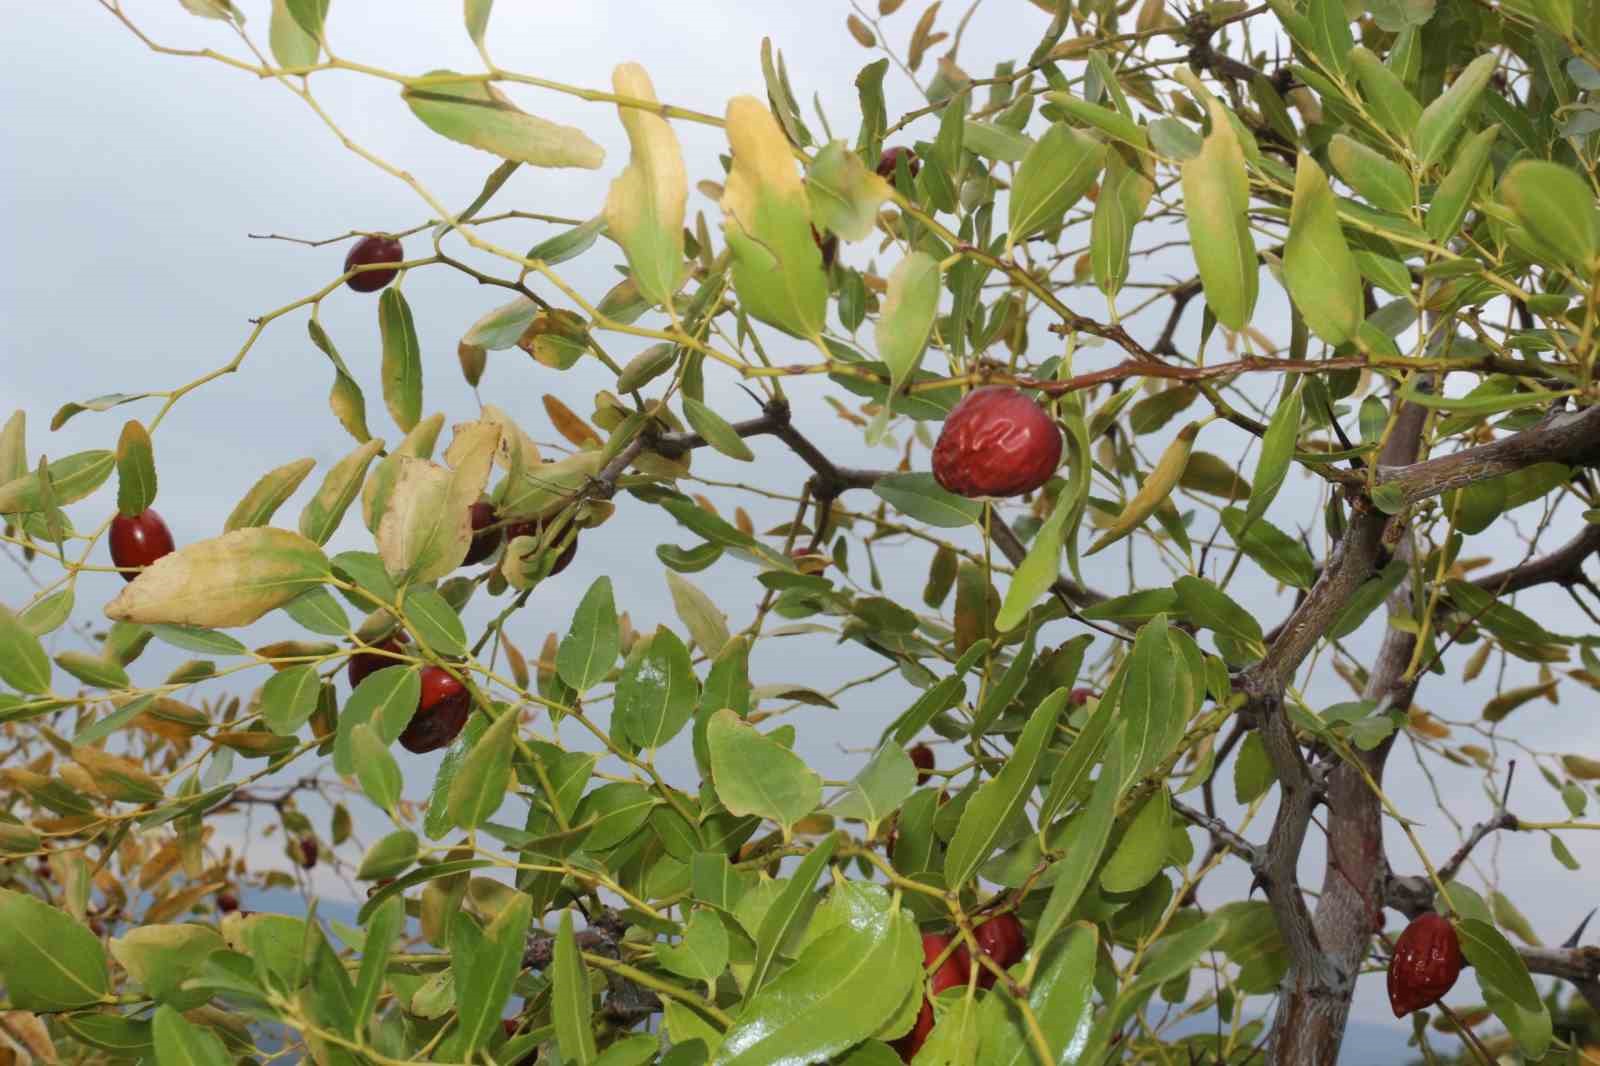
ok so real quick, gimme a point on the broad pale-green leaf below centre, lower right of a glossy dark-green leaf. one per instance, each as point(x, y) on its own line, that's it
point(756, 775)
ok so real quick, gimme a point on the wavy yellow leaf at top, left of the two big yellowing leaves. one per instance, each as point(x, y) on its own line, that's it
point(644, 210)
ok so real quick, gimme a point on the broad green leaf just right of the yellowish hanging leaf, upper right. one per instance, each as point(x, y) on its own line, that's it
point(1318, 265)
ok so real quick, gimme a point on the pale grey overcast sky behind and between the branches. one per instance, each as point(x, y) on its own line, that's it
point(129, 183)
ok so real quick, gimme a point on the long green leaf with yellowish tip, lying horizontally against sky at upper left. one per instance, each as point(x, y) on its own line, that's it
point(476, 114)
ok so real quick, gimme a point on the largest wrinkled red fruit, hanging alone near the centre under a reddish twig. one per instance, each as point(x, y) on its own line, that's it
point(996, 443)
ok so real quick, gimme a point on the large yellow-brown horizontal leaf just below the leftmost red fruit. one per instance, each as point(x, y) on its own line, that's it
point(231, 580)
